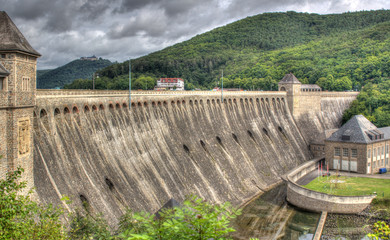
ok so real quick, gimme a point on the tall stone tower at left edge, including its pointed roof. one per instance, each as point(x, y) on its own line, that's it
point(18, 62)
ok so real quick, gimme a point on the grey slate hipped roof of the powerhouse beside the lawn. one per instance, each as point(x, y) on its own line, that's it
point(359, 130)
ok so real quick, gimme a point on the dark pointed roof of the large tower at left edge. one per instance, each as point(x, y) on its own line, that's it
point(11, 39)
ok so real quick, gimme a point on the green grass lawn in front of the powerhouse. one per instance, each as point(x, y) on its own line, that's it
point(351, 186)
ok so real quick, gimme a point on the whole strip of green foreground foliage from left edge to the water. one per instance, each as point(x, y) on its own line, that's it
point(22, 218)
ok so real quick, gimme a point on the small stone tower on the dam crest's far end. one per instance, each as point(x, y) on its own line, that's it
point(292, 86)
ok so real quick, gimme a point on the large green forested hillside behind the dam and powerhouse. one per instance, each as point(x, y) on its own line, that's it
point(338, 52)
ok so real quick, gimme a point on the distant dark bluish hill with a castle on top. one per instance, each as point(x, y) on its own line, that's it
point(66, 74)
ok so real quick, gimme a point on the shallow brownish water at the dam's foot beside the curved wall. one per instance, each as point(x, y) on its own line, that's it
point(270, 217)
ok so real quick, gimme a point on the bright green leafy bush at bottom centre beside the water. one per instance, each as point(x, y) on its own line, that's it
point(196, 219)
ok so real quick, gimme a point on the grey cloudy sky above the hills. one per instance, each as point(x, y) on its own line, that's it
point(64, 30)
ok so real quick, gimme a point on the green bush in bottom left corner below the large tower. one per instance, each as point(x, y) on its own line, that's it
point(22, 218)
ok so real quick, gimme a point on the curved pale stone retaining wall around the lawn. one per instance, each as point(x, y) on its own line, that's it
point(321, 202)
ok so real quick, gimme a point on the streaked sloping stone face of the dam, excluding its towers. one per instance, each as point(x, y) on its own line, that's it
point(164, 147)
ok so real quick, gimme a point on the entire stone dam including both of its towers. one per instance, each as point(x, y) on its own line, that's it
point(98, 147)
